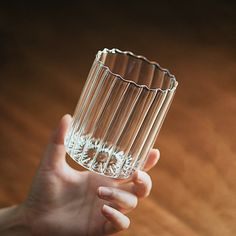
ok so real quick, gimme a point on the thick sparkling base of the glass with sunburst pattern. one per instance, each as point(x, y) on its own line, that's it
point(96, 156)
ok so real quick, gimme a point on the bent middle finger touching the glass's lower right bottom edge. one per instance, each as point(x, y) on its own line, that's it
point(140, 186)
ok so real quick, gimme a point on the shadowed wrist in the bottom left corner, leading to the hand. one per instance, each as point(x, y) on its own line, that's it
point(13, 221)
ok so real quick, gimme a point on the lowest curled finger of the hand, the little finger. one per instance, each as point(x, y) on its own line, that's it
point(116, 220)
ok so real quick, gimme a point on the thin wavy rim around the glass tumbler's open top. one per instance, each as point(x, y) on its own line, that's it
point(154, 63)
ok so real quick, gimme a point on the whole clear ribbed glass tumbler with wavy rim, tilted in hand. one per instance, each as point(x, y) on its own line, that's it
point(119, 114)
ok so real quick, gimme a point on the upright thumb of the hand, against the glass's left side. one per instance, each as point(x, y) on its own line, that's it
point(55, 153)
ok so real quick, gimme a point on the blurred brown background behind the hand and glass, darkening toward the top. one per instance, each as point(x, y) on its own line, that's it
point(46, 50)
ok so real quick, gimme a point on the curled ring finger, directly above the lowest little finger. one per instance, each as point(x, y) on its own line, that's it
point(123, 200)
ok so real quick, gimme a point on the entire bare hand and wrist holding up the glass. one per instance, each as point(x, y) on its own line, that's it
point(64, 201)
